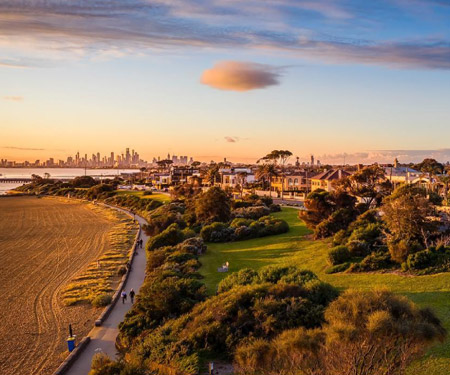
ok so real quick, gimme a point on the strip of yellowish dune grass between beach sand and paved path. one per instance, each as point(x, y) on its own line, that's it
point(98, 280)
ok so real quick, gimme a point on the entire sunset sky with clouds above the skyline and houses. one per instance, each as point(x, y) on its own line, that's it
point(345, 80)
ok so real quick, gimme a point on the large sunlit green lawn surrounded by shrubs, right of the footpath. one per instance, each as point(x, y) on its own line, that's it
point(293, 248)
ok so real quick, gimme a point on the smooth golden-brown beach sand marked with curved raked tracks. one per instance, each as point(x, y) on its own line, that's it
point(44, 243)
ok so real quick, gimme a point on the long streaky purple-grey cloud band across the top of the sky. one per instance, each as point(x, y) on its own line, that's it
point(85, 27)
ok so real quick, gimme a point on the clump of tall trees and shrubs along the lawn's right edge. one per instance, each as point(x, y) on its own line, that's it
point(388, 229)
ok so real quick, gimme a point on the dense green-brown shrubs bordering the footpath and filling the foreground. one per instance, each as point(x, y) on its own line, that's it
point(174, 327)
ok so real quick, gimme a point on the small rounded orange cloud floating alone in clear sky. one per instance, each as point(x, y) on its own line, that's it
point(240, 76)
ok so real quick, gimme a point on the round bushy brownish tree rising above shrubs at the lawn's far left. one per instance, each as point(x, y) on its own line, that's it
point(213, 205)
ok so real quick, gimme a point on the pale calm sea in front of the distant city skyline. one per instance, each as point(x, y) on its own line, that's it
point(55, 173)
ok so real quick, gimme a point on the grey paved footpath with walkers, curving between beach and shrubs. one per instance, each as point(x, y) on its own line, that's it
point(103, 338)
